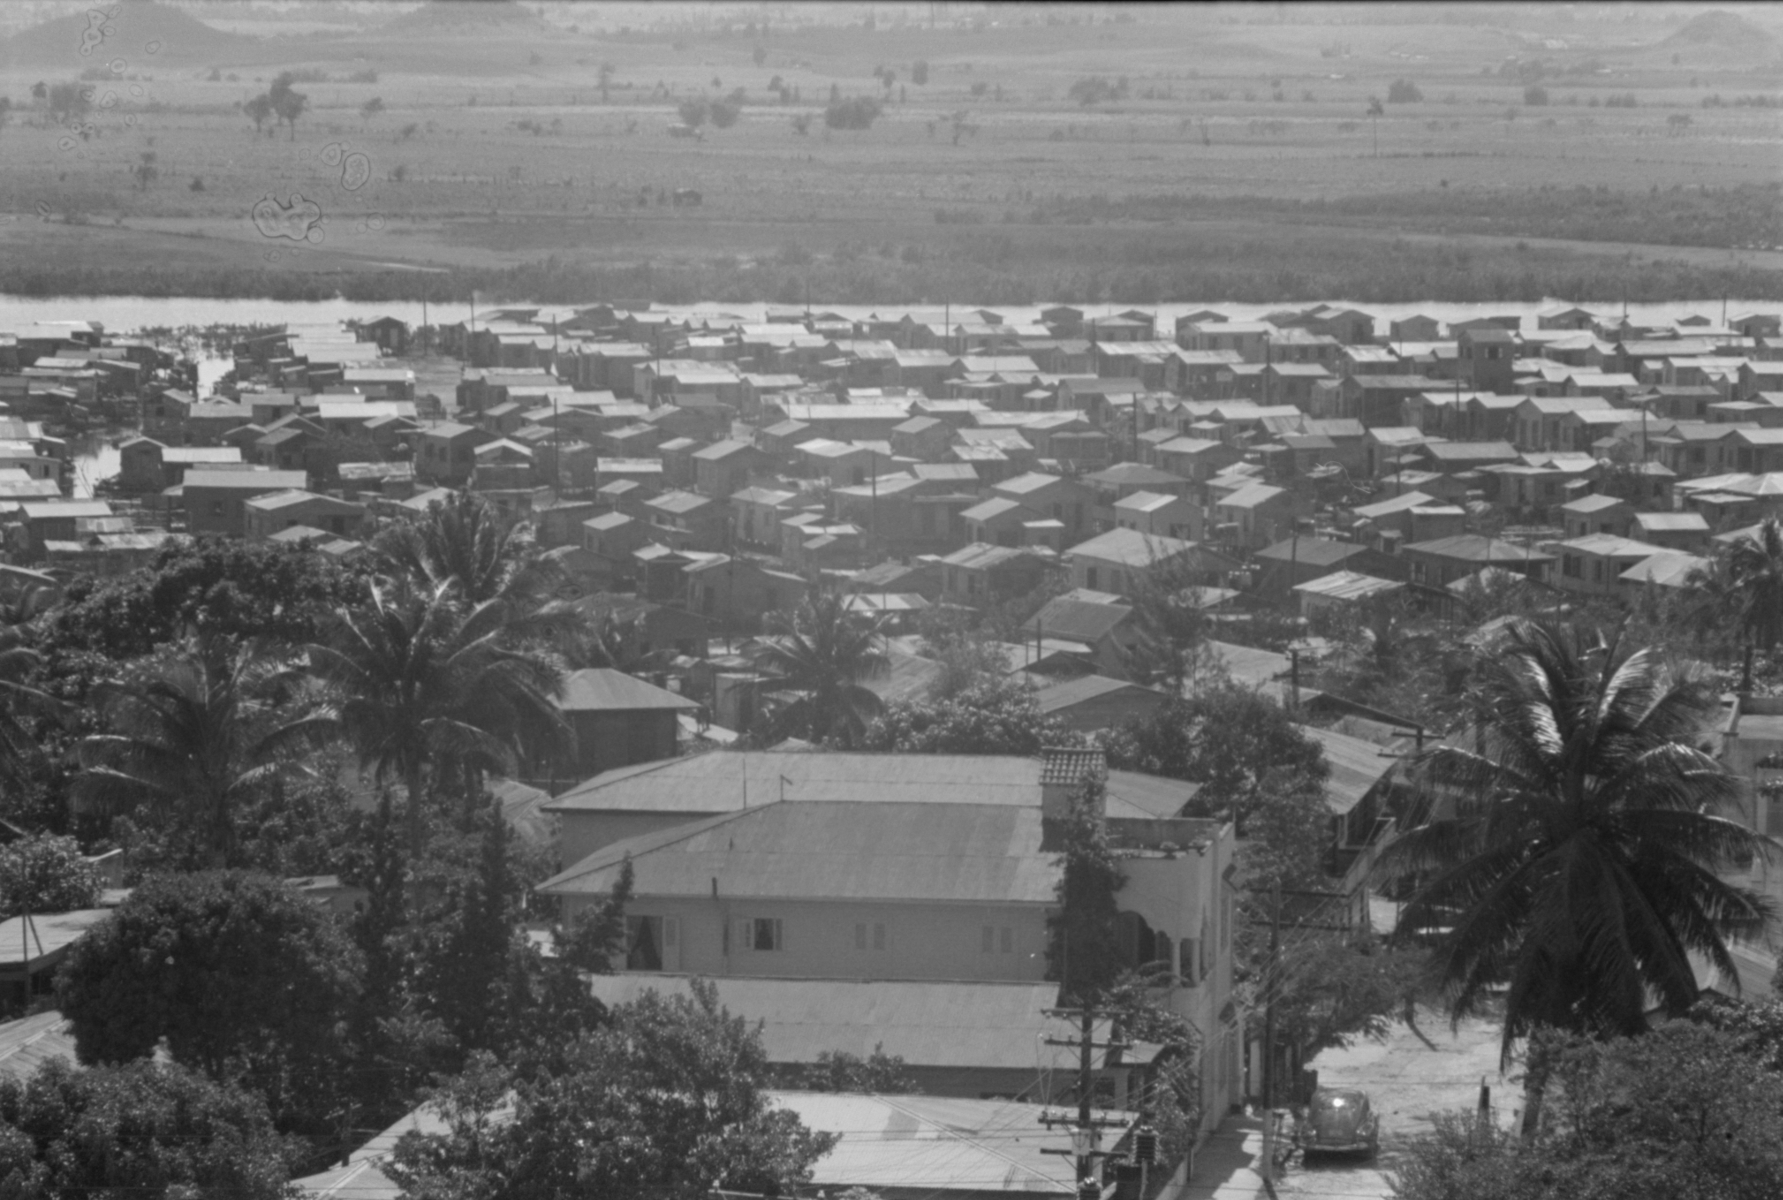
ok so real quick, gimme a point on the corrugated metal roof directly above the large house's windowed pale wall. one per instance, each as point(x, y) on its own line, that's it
point(835, 851)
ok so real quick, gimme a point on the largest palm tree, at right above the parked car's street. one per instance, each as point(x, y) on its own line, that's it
point(1579, 860)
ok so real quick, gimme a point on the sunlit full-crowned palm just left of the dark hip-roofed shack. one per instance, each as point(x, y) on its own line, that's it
point(425, 687)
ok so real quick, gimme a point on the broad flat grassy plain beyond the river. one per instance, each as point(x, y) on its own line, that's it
point(1228, 149)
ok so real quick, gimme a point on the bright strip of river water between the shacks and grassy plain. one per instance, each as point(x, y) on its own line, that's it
point(97, 457)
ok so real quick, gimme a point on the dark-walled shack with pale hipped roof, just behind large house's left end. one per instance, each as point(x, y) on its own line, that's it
point(618, 721)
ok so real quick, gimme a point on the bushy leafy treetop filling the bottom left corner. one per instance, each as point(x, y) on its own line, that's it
point(135, 1130)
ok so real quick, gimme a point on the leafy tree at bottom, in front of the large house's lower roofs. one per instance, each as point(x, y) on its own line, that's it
point(666, 1101)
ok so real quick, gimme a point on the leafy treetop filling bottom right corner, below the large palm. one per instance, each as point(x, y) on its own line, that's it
point(1677, 1114)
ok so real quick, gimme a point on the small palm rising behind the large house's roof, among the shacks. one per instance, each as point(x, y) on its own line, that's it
point(823, 653)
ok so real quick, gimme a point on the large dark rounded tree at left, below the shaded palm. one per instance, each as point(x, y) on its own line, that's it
point(238, 974)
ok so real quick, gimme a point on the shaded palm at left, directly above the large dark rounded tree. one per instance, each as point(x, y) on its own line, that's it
point(195, 741)
